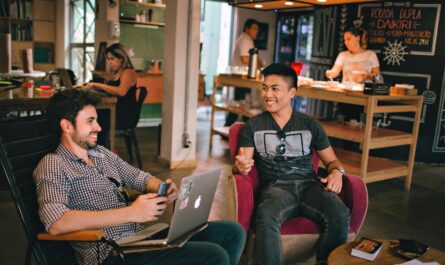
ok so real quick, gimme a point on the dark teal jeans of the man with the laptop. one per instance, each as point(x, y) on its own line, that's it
point(221, 243)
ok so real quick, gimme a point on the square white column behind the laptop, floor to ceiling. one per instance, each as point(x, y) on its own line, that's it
point(180, 87)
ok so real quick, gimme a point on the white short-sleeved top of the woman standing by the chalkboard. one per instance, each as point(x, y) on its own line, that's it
point(364, 61)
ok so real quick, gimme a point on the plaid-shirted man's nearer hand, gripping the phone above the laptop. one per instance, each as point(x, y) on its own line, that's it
point(148, 207)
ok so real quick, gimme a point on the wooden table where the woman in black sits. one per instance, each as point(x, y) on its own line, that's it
point(25, 99)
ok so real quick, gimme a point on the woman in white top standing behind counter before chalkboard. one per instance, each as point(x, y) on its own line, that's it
point(357, 63)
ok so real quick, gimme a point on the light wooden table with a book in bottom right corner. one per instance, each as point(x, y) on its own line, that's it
point(342, 255)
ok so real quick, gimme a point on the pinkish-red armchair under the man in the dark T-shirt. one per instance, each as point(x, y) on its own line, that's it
point(299, 235)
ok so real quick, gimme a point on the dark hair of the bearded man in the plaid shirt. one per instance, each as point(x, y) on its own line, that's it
point(66, 105)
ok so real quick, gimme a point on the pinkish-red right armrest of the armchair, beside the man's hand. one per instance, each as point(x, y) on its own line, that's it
point(355, 195)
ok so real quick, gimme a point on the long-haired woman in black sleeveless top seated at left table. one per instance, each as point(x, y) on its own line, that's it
point(123, 85)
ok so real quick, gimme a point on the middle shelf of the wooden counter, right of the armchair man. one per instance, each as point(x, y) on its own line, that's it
point(380, 137)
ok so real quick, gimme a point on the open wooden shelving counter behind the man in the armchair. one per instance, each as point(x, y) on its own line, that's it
point(371, 169)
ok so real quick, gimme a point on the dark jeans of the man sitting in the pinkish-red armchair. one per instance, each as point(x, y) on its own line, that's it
point(284, 199)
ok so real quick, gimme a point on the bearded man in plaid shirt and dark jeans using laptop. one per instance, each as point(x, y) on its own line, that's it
point(79, 186)
